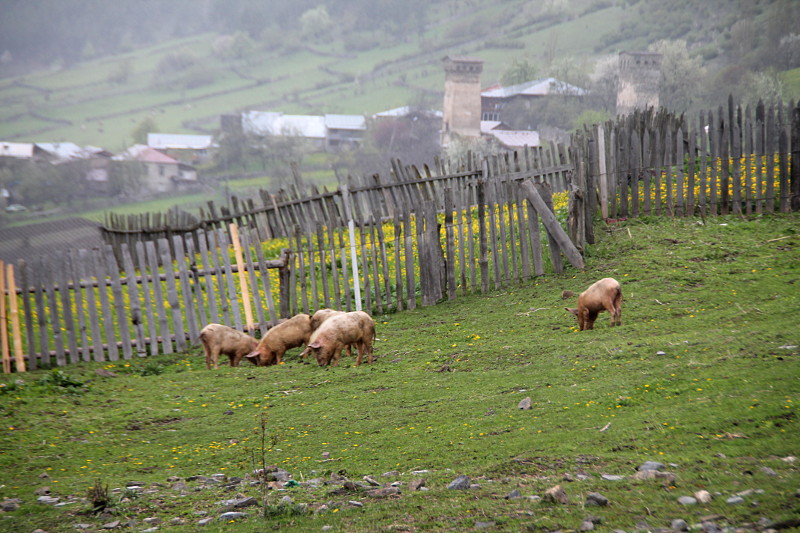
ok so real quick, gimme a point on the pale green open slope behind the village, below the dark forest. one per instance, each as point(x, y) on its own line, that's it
point(101, 101)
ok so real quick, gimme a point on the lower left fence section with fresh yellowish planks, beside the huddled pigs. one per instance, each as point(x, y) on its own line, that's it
point(84, 306)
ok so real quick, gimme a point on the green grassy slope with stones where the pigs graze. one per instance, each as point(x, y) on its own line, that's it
point(719, 300)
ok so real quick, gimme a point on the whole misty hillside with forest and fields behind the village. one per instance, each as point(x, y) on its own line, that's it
point(92, 71)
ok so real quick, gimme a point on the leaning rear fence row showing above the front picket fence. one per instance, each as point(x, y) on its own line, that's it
point(275, 214)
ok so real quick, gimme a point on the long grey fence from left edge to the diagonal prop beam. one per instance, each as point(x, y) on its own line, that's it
point(473, 230)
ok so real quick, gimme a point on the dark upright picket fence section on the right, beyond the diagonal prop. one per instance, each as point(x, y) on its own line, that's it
point(732, 160)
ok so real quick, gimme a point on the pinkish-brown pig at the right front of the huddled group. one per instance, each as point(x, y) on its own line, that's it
point(355, 328)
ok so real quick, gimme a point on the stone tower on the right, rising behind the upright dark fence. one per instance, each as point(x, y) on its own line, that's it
point(639, 80)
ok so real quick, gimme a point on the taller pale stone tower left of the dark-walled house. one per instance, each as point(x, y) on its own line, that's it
point(462, 97)
